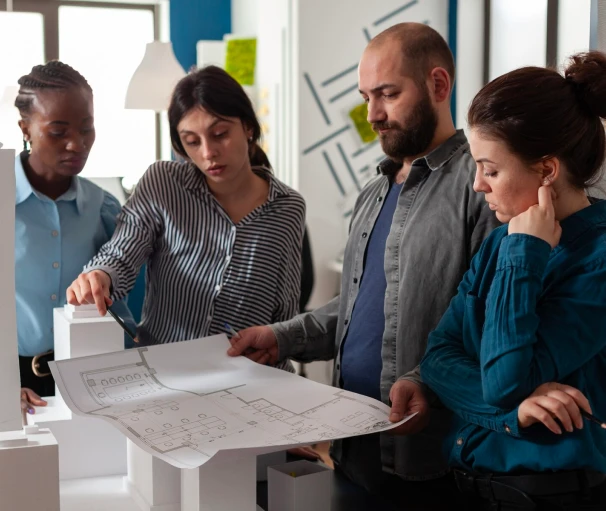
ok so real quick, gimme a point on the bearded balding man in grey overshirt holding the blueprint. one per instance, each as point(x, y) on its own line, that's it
point(414, 229)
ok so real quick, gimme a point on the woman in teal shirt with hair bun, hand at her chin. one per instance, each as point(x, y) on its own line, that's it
point(522, 347)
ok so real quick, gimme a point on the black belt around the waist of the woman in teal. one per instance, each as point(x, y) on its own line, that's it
point(519, 488)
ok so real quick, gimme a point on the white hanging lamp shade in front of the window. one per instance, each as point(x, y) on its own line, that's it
point(153, 82)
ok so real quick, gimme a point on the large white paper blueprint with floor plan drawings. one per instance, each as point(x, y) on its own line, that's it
point(183, 402)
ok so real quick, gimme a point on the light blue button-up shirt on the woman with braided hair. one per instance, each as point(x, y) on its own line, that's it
point(53, 242)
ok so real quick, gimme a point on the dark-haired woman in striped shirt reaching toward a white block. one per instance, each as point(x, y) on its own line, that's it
point(222, 239)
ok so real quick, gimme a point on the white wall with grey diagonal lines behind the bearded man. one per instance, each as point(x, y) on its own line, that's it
point(332, 36)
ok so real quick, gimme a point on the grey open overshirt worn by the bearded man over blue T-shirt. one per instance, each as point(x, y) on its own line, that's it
point(438, 225)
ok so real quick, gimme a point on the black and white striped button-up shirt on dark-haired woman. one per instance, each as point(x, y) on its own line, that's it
point(202, 269)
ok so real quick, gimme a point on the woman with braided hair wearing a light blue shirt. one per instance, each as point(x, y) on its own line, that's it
point(61, 219)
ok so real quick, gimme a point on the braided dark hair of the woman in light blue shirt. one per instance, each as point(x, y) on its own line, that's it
point(53, 75)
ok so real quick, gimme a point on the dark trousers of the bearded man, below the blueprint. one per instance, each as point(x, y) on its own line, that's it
point(361, 463)
